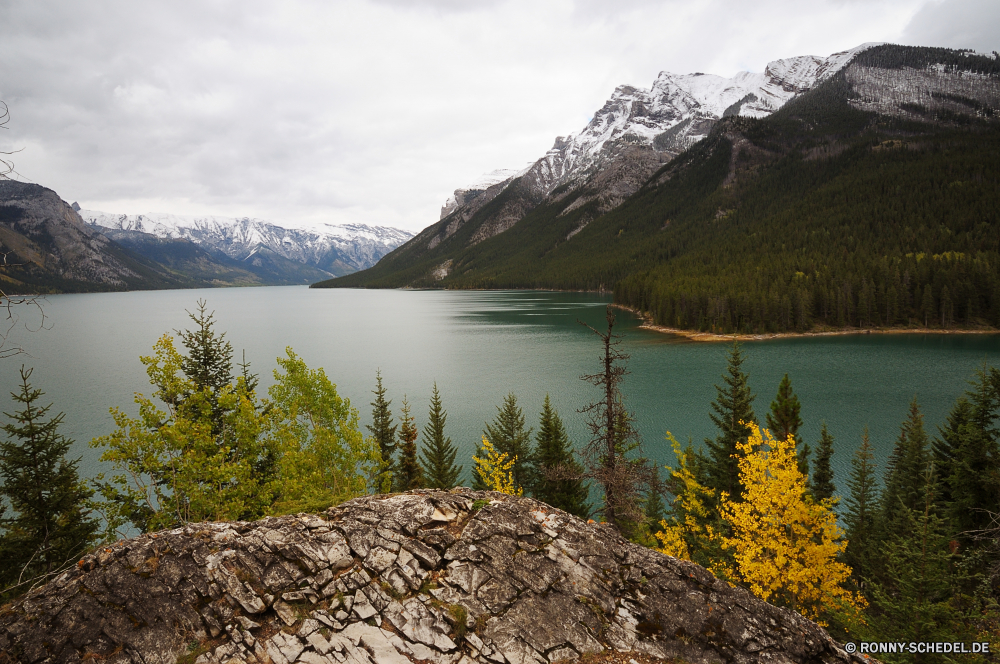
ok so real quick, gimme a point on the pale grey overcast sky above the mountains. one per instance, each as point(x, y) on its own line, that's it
point(372, 112)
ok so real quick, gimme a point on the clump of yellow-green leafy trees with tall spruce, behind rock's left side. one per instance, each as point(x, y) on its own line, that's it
point(217, 452)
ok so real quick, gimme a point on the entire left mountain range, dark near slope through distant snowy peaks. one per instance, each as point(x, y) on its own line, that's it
point(54, 247)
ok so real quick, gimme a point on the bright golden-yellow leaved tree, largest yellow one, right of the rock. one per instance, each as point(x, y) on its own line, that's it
point(784, 544)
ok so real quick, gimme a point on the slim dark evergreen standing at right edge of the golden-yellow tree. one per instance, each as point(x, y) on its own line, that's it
point(861, 516)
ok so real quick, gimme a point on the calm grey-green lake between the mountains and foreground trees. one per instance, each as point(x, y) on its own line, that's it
point(480, 345)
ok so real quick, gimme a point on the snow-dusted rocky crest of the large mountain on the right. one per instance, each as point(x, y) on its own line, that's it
point(676, 112)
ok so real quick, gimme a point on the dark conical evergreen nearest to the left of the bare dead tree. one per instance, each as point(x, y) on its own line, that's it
point(559, 475)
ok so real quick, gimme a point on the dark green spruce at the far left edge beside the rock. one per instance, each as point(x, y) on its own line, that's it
point(50, 525)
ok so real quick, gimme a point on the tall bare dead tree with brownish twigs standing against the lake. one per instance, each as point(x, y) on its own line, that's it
point(613, 456)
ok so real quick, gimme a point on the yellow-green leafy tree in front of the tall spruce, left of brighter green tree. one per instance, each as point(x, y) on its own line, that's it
point(184, 464)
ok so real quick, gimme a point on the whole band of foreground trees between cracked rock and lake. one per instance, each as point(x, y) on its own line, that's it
point(909, 552)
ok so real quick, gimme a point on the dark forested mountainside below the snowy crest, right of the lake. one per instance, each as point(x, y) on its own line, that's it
point(871, 199)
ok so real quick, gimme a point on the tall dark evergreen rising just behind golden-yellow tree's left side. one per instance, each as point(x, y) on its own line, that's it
point(733, 404)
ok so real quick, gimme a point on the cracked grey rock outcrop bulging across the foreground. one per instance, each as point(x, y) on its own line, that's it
point(431, 576)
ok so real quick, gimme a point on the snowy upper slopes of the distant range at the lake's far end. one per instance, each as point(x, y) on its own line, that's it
point(333, 248)
